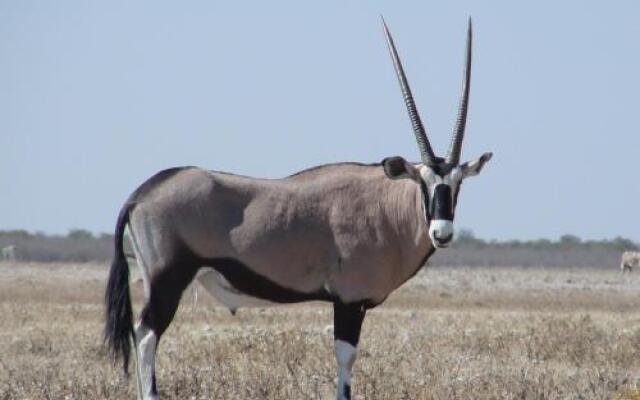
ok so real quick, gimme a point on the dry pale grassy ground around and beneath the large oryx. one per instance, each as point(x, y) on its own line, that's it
point(489, 333)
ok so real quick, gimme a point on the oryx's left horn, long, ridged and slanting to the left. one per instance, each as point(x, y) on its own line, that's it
point(426, 152)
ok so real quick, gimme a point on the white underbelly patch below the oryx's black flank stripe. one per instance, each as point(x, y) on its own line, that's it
point(218, 286)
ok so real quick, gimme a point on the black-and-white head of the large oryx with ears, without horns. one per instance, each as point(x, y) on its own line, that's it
point(440, 188)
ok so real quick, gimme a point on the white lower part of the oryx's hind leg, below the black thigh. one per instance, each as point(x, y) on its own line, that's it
point(146, 348)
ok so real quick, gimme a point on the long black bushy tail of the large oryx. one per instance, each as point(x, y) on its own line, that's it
point(118, 329)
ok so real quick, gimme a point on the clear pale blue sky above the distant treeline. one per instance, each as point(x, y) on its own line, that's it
point(97, 96)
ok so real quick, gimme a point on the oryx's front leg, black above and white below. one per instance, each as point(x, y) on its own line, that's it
point(347, 321)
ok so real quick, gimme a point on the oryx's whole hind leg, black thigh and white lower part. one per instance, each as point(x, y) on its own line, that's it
point(166, 288)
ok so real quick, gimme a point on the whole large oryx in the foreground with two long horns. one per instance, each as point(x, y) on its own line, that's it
point(345, 233)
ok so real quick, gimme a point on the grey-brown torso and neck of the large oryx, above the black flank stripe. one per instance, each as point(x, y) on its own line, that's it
point(317, 230)
